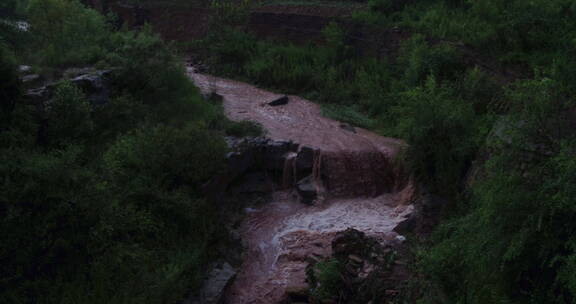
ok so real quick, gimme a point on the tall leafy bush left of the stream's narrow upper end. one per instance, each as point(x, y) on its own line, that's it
point(148, 71)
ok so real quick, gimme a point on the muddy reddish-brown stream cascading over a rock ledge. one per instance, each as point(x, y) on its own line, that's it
point(354, 173)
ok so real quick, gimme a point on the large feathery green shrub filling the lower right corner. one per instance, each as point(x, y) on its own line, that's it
point(509, 247)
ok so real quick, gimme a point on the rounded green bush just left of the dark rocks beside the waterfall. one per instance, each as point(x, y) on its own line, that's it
point(185, 156)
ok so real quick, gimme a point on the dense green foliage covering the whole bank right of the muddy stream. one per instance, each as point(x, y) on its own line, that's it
point(483, 92)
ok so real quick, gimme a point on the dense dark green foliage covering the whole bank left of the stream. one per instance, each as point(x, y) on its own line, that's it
point(102, 203)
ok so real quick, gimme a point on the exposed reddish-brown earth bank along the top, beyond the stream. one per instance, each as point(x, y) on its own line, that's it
point(297, 24)
